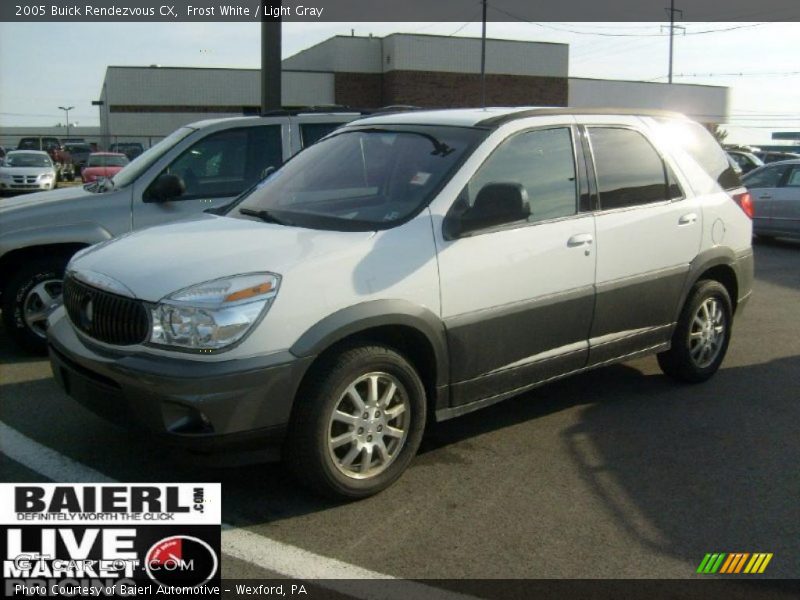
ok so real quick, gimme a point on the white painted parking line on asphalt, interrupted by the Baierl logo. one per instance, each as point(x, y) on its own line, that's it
point(272, 555)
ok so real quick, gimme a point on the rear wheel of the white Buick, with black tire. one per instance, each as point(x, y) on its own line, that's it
point(680, 362)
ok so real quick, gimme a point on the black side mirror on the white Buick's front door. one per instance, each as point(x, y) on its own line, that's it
point(496, 204)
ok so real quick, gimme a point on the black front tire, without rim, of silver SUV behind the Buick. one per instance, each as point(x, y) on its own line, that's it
point(17, 291)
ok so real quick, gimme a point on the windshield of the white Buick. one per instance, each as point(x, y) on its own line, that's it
point(361, 179)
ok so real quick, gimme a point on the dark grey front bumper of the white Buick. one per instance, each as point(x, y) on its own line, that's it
point(235, 405)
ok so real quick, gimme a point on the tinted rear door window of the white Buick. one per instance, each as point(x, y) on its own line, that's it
point(629, 170)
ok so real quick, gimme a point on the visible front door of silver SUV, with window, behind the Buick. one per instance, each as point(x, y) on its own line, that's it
point(214, 169)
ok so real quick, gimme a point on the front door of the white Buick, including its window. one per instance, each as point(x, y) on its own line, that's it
point(517, 300)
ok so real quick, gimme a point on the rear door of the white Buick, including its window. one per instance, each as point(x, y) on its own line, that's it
point(648, 231)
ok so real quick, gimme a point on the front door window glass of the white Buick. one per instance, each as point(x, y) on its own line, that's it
point(543, 162)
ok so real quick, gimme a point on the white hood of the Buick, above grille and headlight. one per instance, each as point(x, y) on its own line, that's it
point(161, 260)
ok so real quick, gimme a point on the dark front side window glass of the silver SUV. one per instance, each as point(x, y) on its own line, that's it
point(228, 162)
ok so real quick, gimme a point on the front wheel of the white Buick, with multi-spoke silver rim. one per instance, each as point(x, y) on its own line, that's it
point(357, 423)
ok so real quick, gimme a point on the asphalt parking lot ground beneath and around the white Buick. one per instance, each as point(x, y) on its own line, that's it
point(617, 473)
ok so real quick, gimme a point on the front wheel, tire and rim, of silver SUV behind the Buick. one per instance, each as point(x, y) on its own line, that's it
point(30, 296)
